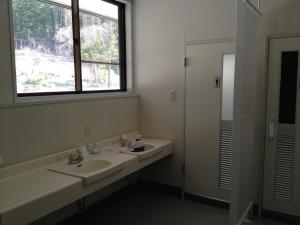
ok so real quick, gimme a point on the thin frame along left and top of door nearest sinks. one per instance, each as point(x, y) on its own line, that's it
point(183, 85)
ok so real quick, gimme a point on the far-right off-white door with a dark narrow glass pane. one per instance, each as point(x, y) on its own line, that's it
point(282, 158)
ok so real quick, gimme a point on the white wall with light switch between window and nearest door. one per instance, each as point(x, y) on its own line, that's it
point(161, 27)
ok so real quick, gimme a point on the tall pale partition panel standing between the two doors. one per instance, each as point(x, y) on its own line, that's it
point(244, 181)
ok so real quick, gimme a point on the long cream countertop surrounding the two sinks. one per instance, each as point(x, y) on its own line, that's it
point(29, 191)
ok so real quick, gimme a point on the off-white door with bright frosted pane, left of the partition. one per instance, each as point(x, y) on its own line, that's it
point(207, 121)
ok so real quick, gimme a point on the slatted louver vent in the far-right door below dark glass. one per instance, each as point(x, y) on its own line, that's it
point(284, 168)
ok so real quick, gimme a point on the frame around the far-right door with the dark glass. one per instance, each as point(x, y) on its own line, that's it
point(267, 40)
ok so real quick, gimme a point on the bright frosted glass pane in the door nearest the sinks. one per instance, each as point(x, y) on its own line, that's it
point(228, 86)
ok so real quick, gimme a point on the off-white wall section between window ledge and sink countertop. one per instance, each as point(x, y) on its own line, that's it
point(37, 130)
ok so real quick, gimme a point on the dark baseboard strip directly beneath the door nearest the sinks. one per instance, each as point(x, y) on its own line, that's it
point(207, 201)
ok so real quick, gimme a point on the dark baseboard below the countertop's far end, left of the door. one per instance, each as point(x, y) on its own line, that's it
point(159, 187)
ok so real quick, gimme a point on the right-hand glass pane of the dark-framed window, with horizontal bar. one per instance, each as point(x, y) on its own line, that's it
point(99, 34)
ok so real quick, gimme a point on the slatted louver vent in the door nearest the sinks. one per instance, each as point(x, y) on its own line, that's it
point(225, 168)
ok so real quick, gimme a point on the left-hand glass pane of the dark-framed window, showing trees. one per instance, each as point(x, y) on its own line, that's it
point(43, 46)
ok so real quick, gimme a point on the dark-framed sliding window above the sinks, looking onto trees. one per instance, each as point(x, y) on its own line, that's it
point(69, 46)
